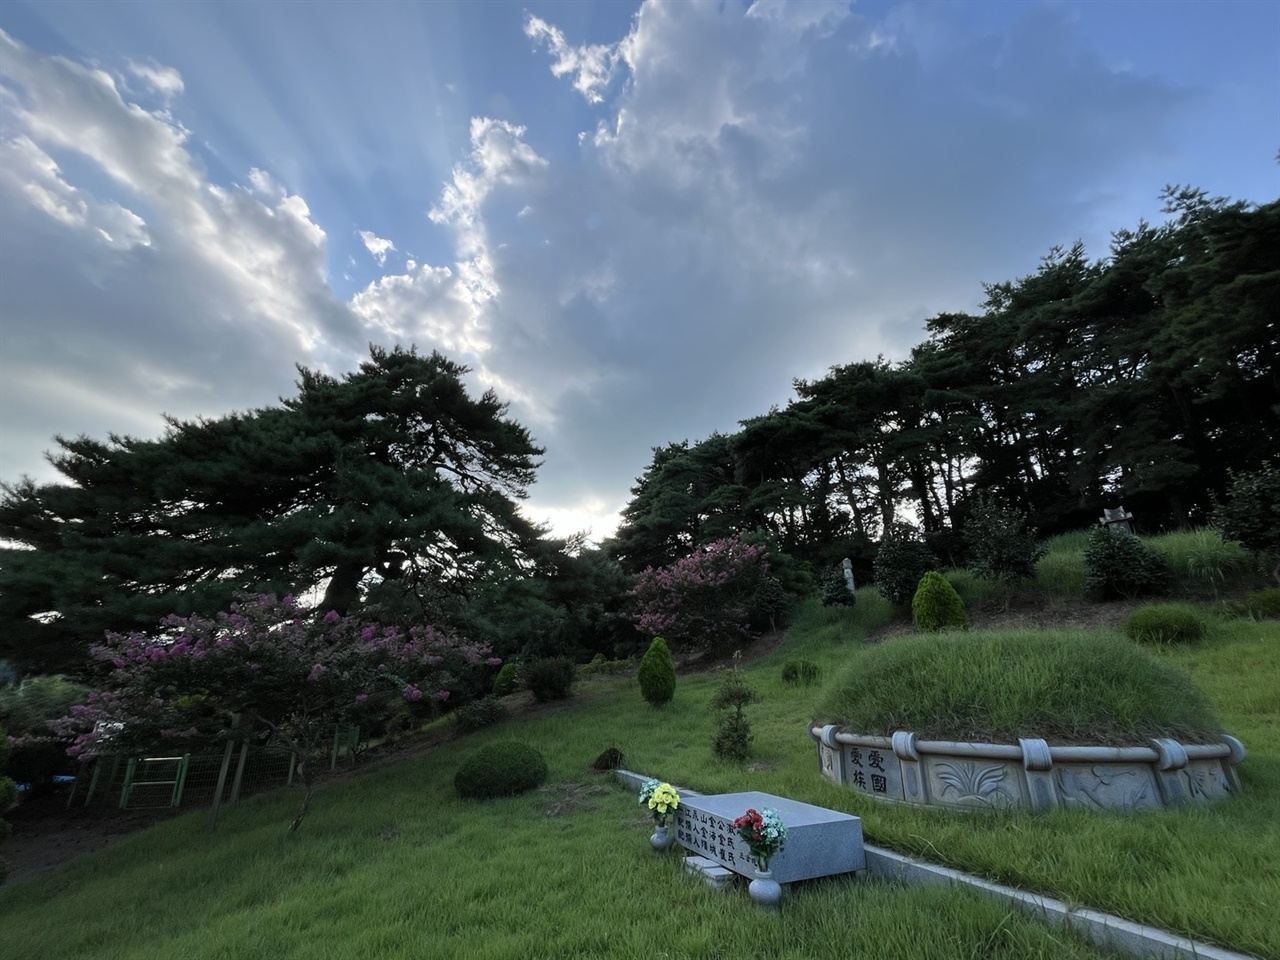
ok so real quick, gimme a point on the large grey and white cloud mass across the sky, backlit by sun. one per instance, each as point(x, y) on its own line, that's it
point(764, 191)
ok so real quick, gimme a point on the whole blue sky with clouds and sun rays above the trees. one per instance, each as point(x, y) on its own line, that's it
point(637, 223)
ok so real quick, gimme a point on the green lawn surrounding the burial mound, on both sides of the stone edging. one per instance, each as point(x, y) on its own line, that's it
point(394, 865)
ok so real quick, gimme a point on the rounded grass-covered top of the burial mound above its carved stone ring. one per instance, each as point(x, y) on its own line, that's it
point(1066, 687)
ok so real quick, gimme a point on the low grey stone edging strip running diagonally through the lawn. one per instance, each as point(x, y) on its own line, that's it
point(1099, 929)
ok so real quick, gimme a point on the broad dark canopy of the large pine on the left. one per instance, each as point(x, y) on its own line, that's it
point(391, 481)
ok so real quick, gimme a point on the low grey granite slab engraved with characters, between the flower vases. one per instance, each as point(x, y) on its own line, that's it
point(820, 843)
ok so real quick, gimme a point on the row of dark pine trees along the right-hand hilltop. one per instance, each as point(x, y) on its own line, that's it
point(1146, 378)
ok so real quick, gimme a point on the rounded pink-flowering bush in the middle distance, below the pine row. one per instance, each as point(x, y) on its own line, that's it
point(705, 600)
